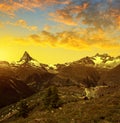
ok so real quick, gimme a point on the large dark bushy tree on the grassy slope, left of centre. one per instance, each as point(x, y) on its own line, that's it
point(51, 98)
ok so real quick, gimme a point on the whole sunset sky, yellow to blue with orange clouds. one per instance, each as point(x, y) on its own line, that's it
point(59, 31)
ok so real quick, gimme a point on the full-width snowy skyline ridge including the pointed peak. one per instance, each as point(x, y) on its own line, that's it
point(98, 60)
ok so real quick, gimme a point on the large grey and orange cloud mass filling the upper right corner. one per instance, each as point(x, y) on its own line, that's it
point(102, 14)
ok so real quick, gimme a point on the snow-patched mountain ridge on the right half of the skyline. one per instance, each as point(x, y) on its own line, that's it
point(99, 60)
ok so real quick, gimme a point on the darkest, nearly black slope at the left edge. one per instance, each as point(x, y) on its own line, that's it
point(12, 90)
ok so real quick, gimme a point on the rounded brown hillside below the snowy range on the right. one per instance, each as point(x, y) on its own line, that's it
point(76, 74)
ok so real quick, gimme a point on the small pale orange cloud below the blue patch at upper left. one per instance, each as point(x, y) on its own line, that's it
point(22, 23)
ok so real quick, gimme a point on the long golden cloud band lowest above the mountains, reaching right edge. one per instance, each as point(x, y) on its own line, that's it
point(73, 39)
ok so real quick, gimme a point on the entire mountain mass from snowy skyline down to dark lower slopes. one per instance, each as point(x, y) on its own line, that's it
point(27, 76)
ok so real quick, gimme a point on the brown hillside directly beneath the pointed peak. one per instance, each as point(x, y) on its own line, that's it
point(34, 77)
